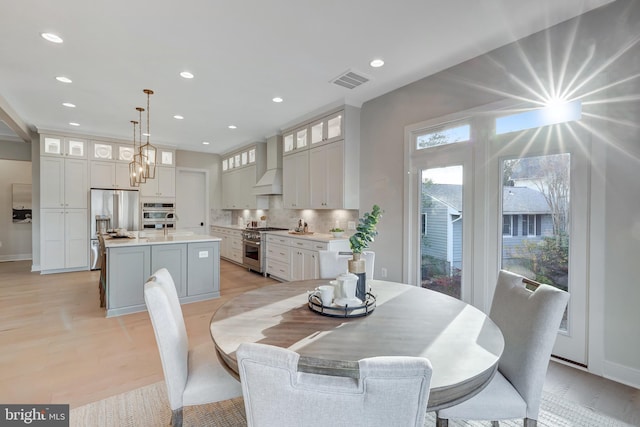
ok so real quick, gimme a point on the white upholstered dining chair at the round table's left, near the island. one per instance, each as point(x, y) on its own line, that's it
point(192, 376)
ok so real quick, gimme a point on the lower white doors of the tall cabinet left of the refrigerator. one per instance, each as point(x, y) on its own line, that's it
point(64, 239)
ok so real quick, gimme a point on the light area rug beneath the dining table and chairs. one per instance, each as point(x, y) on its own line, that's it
point(148, 407)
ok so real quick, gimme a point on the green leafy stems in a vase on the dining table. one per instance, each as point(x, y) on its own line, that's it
point(359, 241)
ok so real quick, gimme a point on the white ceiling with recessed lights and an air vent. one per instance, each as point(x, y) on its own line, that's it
point(242, 53)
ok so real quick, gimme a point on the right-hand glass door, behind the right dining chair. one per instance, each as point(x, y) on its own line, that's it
point(544, 221)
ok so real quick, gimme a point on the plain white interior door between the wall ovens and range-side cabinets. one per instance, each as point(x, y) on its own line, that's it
point(192, 200)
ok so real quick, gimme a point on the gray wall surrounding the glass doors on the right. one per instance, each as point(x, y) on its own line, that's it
point(605, 41)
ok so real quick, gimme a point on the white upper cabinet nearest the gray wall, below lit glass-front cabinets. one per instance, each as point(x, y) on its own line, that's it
point(326, 176)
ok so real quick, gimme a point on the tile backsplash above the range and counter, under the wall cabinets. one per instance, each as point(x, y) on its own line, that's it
point(319, 221)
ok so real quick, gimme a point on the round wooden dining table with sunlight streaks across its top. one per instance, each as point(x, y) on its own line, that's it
point(462, 343)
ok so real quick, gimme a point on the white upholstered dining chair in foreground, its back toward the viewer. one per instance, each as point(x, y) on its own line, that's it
point(390, 391)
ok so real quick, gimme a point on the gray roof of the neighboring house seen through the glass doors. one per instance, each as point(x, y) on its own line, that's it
point(516, 200)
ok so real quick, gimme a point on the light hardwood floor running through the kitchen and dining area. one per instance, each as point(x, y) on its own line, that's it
point(57, 346)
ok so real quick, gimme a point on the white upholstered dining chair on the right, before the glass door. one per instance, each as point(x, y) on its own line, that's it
point(529, 321)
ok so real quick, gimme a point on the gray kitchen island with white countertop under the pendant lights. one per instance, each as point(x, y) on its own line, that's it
point(193, 261)
